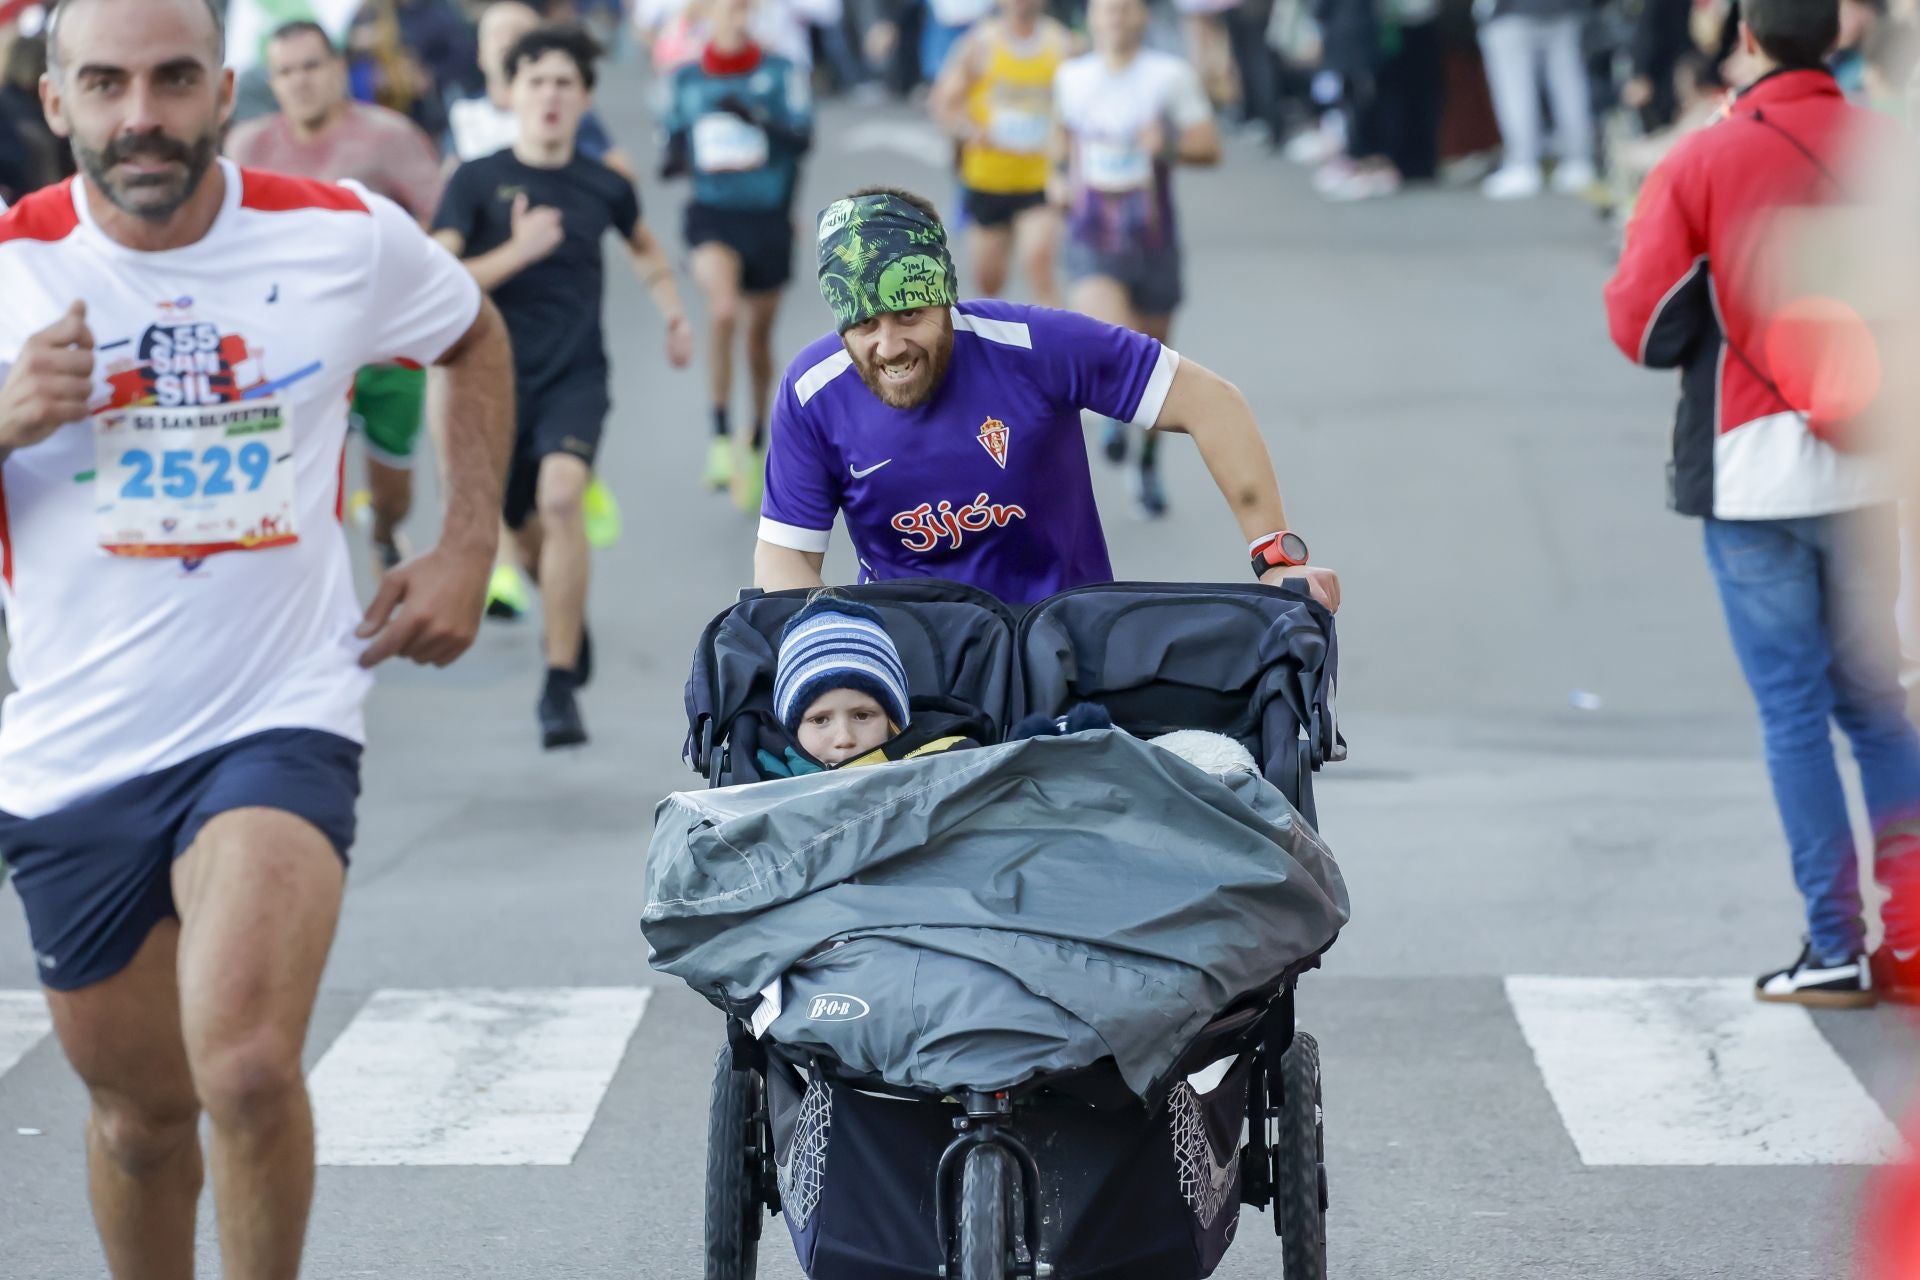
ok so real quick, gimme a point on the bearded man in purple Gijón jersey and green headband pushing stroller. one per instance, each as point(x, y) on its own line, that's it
point(955, 450)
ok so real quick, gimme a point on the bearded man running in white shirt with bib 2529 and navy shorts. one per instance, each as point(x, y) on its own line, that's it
point(180, 761)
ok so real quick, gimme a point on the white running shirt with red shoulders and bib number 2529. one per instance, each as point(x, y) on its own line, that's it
point(220, 419)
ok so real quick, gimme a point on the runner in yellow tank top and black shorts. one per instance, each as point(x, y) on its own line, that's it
point(997, 97)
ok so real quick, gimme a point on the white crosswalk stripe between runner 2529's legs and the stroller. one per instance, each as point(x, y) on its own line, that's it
point(471, 1078)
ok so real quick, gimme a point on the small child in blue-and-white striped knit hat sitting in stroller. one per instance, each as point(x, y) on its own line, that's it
point(842, 694)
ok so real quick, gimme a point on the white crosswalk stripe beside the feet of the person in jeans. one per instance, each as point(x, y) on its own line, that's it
point(1689, 1072)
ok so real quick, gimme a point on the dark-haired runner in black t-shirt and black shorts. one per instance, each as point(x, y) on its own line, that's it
point(531, 222)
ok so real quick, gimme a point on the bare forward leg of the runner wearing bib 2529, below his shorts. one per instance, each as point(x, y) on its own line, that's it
point(260, 897)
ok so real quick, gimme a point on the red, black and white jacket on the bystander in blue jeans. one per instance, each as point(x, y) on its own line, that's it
point(1689, 295)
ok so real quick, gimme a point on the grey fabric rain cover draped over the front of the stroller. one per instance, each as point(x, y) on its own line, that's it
point(978, 918)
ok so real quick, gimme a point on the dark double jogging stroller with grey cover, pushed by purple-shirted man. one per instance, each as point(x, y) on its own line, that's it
point(852, 1114)
